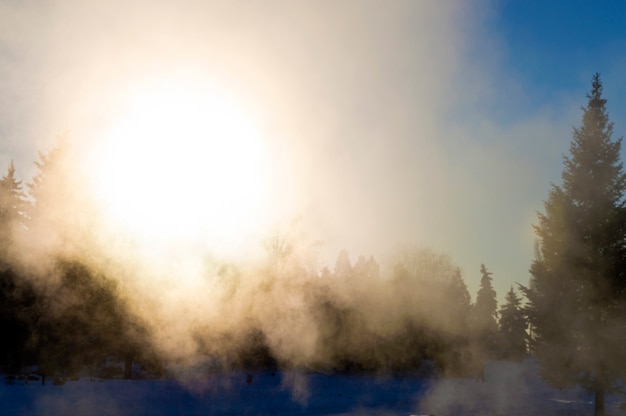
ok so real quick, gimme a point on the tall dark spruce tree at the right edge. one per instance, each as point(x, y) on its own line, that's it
point(578, 280)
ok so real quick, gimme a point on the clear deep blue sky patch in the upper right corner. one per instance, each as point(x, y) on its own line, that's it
point(550, 48)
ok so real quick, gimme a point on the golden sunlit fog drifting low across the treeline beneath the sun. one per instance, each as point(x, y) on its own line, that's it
point(191, 308)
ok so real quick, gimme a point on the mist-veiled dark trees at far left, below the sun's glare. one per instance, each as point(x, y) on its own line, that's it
point(58, 311)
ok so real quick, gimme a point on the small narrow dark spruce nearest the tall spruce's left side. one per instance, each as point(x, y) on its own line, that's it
point(513, 326)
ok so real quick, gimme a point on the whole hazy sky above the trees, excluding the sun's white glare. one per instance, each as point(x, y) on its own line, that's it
point(390, 124)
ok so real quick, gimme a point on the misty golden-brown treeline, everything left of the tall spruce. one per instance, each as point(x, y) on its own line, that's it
point(67, 310)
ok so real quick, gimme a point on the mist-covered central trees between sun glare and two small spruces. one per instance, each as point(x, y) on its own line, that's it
point(354, 318)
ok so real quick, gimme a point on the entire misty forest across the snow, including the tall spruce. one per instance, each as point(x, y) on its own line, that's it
point(69, 306)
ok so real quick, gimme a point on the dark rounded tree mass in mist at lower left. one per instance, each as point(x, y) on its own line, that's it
point(82, 321)
